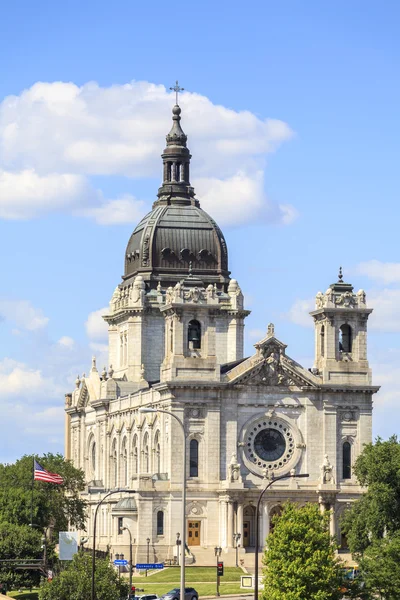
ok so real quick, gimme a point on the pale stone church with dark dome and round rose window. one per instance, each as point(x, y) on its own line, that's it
point(176, 331)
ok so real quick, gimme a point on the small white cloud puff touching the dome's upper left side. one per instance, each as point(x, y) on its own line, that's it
point(115, 212)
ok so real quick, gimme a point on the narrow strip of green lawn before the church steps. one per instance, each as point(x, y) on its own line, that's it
point(172, 574)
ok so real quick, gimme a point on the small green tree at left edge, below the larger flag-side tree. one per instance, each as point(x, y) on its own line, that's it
point(19, 542)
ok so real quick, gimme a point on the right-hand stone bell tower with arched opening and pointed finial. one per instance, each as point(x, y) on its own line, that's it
point(340, 318)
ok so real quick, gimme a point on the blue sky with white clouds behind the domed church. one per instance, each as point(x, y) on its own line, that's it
point(295, 154)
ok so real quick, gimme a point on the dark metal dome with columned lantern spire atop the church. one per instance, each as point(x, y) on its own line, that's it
point(177, 235)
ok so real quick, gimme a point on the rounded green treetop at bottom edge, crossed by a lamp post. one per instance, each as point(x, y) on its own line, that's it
point(74, 583)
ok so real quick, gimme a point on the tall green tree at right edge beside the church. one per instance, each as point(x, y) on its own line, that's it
point(377, 513)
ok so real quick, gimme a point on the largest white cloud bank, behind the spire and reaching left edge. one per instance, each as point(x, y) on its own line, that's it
point(53, 136)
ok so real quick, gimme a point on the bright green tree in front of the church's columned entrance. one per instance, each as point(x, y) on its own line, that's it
point(300, 562)
